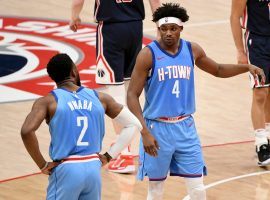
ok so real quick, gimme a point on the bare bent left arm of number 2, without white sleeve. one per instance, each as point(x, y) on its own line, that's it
point(28, 133)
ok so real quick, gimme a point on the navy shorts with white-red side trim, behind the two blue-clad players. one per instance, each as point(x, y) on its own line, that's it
point(118, 45)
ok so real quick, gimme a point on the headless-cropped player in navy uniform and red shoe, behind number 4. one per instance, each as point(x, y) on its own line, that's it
point(119, 39)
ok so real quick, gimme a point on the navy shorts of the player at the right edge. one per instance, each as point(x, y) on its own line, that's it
point(258, 51)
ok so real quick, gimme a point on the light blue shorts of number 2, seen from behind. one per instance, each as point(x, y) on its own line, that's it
point(75, 180)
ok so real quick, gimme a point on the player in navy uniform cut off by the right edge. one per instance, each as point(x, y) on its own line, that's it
point(255, 16)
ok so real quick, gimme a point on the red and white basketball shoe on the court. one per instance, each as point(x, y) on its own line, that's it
point(123, 164)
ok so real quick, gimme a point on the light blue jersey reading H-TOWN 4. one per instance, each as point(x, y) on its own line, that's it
point(169, 90)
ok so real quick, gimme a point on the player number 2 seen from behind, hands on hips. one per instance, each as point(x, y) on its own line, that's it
point(75, 116)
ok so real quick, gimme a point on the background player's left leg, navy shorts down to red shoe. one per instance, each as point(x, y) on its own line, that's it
point(110, 71)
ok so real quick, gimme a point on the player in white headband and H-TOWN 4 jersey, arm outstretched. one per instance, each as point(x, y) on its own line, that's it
point(165, 69)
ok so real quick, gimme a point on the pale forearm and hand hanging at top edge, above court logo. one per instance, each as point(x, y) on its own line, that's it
point(76, 9)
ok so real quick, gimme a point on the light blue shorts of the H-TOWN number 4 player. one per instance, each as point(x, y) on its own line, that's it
point(180, 152)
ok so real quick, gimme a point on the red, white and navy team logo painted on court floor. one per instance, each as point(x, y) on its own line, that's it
point(26, 45)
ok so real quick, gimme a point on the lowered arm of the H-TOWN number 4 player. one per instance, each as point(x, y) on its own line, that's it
point(138, 78)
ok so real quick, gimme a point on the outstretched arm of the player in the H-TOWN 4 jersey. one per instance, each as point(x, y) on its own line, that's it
point(223, 70)
